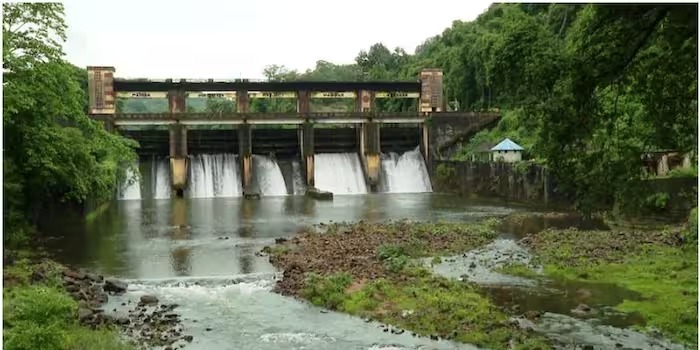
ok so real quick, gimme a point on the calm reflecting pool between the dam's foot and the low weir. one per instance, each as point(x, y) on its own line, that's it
point(219, 237)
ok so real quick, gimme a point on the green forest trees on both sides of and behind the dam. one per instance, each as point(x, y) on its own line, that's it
point(587, 89)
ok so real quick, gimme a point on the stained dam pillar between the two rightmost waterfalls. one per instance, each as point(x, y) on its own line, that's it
point(369, 140)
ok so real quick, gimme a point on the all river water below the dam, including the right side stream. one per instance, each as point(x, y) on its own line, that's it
point(200, 253)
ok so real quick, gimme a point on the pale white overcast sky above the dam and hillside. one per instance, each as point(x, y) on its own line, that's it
point(236, 39)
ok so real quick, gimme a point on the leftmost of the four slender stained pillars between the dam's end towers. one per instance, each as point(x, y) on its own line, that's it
point(178, 143)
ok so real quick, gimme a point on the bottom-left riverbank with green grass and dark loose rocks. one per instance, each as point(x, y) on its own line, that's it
point(50, 306)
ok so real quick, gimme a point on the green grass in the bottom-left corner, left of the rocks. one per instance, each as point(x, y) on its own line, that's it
point(39, 314)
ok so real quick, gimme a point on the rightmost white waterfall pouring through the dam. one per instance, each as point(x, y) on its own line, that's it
point(404, 173)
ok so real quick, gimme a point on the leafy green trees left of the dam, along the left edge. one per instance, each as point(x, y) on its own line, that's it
point(52, 149)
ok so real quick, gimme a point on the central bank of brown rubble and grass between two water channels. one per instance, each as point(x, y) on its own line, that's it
point(368, 270)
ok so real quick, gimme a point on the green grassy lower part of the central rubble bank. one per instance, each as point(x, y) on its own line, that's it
point(419, 302)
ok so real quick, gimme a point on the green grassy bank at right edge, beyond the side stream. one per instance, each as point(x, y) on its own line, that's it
point(655, 263)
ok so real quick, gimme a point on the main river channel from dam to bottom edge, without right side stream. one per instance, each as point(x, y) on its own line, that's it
point(201, 254)
